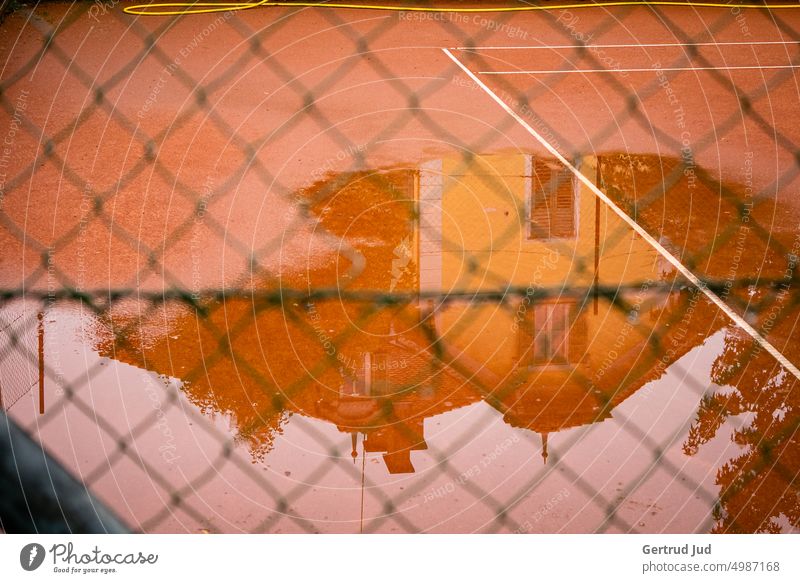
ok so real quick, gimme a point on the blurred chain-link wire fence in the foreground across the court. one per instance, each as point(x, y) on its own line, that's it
point(239, 246)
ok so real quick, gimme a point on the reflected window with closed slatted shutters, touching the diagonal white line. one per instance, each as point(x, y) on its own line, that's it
point(552, 192)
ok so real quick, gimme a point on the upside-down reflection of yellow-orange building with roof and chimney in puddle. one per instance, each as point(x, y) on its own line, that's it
point(466, 280)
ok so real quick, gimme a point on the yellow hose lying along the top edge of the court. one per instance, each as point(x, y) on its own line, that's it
point(179, 8)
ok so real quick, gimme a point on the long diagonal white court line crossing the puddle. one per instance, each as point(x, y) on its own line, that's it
point(714, 298)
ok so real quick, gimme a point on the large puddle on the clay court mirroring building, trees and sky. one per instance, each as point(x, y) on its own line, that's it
point(482, 346)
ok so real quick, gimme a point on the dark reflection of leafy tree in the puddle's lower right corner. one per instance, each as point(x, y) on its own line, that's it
point(758, 488)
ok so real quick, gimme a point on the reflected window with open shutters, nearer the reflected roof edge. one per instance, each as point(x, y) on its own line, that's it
point(544, 335)
